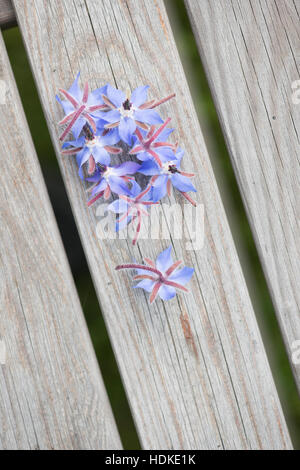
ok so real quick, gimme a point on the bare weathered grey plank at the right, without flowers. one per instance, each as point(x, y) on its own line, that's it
point(251, 53)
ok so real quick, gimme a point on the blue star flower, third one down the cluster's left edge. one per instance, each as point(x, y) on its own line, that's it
point(112, 179)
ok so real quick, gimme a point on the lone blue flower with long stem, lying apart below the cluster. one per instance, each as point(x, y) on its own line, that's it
point(161, 278)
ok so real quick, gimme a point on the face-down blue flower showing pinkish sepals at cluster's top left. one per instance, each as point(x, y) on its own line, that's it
point(80, 107)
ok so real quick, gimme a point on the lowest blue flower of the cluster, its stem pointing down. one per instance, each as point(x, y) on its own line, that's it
point(133, 208)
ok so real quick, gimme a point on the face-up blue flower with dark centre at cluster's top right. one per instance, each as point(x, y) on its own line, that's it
point(127, 113)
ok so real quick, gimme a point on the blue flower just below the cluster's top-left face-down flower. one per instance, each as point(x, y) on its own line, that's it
point(93, 149)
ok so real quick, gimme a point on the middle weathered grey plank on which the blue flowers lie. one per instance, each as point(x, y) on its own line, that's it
point(212, 391)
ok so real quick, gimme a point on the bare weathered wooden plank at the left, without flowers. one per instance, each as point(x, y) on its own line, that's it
point(52, 395)
